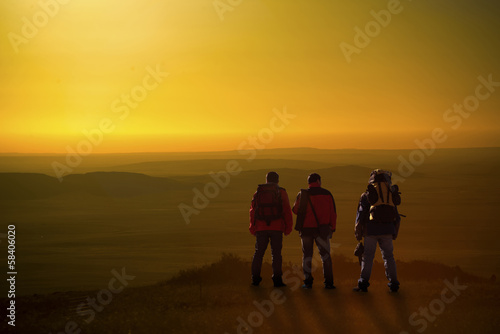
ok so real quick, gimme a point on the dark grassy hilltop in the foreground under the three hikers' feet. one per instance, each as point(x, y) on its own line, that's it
point(218, 298)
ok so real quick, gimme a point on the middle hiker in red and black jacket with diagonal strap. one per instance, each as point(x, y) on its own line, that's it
point(316, 221)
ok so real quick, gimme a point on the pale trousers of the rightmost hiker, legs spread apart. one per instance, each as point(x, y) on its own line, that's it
point(386, 248)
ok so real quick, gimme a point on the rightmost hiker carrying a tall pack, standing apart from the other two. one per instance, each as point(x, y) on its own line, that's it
point(378, 221)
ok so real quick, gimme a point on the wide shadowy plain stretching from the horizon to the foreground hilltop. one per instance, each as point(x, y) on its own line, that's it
point(71, 234)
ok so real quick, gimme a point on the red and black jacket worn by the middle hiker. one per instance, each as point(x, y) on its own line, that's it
point(324, 205)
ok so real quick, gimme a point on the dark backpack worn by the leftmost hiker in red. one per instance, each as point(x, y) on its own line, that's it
point(268, 204)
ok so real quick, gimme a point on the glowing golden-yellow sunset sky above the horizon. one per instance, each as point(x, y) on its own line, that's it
point(230, 67)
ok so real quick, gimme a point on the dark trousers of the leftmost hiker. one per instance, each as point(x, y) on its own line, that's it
point(263, 238)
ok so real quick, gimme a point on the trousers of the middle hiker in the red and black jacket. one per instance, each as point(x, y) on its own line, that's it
point(324, 251)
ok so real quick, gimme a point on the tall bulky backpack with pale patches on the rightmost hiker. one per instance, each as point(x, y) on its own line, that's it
point(383, 197)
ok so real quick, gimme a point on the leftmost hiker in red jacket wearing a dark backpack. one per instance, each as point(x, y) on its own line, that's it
point(270, 217)
